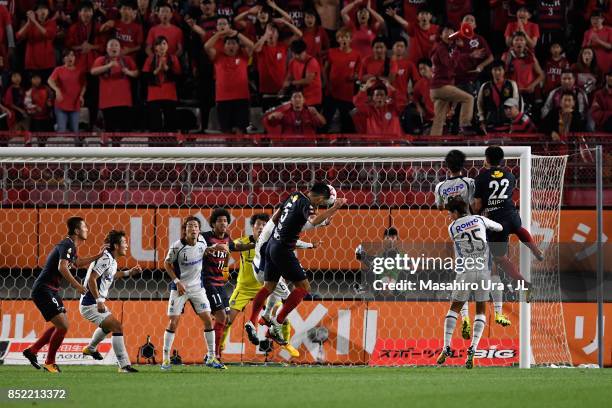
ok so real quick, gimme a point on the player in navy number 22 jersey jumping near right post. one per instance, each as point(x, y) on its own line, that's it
point(493, 197)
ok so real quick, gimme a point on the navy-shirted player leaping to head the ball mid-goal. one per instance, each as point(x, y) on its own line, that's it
point(281, 260)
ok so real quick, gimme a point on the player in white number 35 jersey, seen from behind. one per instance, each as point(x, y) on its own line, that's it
point(472, 265)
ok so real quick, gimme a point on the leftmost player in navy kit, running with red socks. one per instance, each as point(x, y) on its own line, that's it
point(45, 292)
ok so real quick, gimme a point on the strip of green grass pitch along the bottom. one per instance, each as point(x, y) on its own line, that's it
point(351, 387)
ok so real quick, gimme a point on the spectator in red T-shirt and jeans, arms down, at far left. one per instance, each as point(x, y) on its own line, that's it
point(68, 83)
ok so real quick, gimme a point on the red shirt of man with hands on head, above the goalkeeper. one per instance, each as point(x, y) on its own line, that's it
point(231, 73)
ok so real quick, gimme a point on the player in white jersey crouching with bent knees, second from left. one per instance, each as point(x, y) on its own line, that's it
point(100, 276)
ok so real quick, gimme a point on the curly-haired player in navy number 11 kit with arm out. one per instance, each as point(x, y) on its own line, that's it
point(214, 266)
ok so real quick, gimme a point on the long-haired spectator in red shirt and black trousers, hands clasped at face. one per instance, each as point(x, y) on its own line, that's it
point(161, 71)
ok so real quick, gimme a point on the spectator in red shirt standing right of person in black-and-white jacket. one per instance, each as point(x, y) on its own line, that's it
point(523, 67)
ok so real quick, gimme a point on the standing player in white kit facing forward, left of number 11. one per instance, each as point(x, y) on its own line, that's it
point(184, 266)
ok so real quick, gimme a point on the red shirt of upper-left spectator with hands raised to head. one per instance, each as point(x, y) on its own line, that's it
point(40, 53)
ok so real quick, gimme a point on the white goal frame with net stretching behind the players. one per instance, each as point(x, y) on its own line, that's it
point(344, 320)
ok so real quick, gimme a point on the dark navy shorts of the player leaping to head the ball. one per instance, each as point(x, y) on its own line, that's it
point(282, 262)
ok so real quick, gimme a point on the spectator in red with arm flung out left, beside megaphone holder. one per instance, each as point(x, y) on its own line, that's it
point(422, 35)
